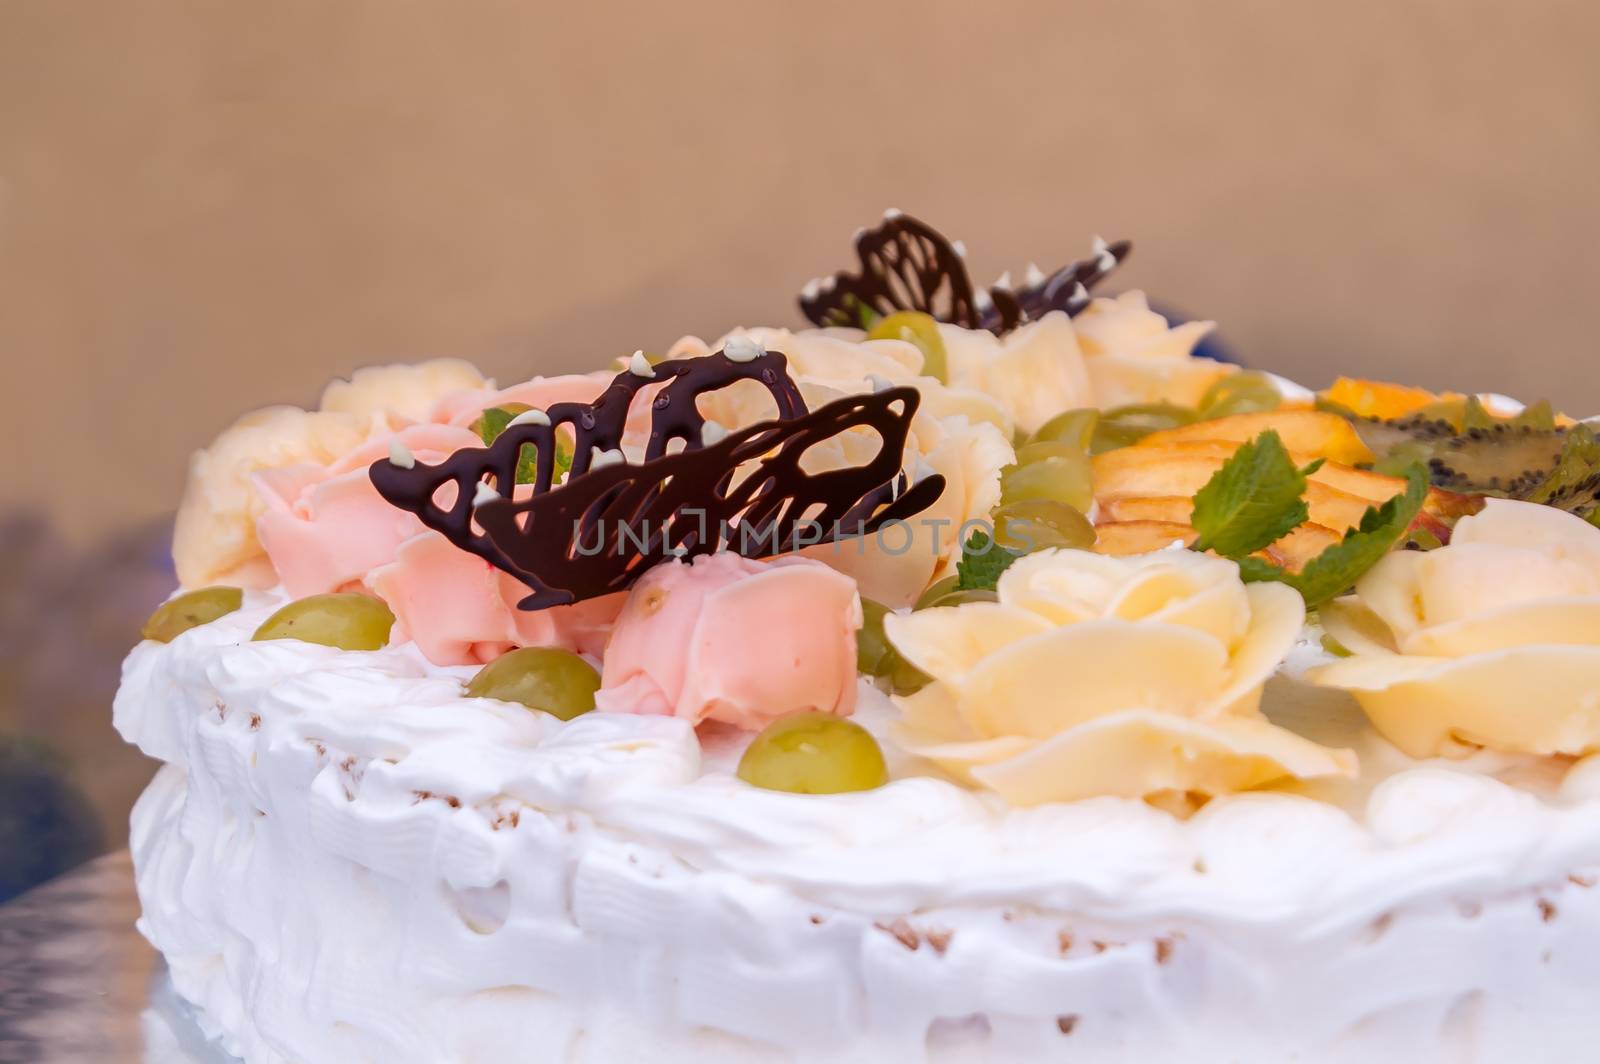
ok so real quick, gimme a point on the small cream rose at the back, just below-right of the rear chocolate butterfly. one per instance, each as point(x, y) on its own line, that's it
point(1134, 356)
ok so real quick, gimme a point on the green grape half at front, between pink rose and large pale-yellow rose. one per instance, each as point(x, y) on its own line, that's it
point(814, 754)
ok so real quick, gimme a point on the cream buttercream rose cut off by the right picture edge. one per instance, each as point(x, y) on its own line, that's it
point(1494, 641)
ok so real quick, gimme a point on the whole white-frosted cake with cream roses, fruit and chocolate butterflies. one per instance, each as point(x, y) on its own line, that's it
point(1081, 698)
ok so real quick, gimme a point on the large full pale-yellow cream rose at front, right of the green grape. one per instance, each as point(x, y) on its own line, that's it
point(1100, 676)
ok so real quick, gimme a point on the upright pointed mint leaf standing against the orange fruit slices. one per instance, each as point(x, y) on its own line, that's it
point(1254, 502)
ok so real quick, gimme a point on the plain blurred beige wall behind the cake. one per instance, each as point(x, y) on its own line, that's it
point(206, 207)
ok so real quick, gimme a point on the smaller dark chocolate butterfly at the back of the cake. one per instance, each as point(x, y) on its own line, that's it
point(908, 265)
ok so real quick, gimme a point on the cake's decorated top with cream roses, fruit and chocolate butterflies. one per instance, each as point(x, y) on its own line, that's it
point(1010, 562)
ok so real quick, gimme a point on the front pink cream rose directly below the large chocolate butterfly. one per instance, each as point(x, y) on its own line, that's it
point(735, 641)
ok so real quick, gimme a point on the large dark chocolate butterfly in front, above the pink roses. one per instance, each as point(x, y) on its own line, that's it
point(607, 526)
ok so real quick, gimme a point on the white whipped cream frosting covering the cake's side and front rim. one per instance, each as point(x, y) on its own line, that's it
point(346, 860)
